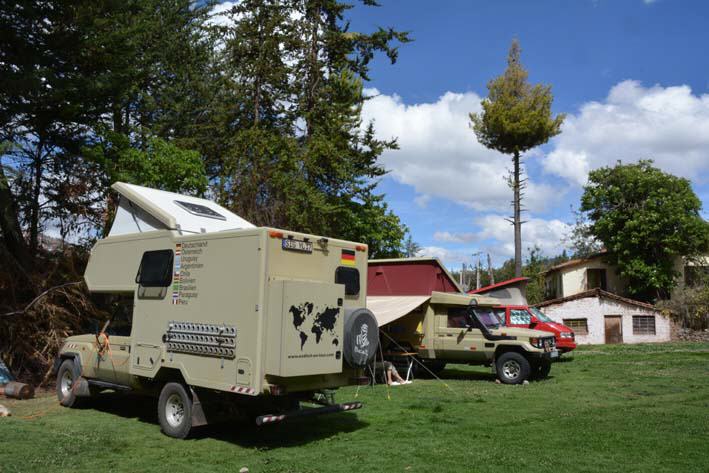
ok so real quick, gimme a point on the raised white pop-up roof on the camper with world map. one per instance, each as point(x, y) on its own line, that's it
point(142, 209)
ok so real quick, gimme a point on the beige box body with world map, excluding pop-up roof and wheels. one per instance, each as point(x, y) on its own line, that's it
point(240, 312)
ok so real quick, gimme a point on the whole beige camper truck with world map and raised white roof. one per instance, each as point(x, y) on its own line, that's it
point(218, 315)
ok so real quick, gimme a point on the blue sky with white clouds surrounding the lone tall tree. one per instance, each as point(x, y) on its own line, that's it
point(632, 75)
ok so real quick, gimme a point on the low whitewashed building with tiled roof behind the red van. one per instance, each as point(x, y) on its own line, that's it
point(597, 316)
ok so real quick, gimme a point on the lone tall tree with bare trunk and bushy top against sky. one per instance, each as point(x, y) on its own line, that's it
point(516, 117)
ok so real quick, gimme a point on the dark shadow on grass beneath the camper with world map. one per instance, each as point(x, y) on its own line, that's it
point(290, 433)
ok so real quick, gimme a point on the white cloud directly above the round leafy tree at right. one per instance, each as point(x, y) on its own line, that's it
point(667, 124)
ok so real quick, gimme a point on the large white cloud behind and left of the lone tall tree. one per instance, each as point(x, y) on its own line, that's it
point(439, 155)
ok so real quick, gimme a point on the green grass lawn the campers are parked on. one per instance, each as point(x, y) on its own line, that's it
point(623, 408)
